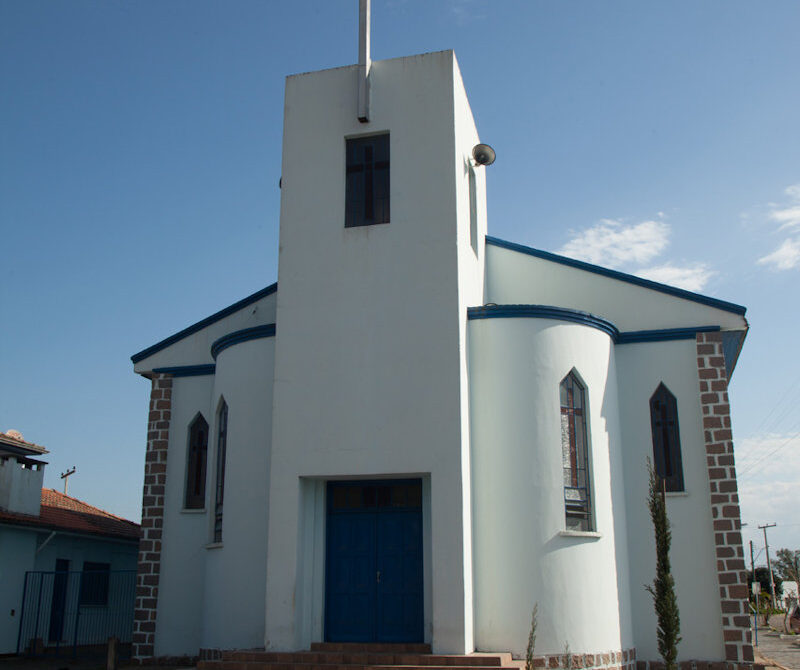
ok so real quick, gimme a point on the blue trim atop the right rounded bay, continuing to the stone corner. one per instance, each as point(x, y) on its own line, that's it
point(586, 319)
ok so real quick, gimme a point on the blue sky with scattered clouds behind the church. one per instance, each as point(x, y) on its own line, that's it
point(140, 147)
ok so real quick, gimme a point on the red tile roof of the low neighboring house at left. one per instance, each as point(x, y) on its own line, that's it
point(62, 512)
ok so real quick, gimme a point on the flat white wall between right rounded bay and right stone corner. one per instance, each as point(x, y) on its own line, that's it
point(642, 367)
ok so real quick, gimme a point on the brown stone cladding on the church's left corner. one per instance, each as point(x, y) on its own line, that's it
point(155, 476)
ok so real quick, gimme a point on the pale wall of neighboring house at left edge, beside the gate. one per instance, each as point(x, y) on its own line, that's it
point(17, 548)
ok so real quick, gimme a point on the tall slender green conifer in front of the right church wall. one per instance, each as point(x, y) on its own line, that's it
point(663, 587)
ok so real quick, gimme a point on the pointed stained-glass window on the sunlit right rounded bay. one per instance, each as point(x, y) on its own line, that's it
point(575, 455)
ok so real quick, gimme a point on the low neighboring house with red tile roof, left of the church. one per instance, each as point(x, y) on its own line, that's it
point(73, 554)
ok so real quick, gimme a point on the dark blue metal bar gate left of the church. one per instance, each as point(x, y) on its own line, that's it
point(76, 612)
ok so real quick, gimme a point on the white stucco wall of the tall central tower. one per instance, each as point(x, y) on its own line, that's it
point(383, 299)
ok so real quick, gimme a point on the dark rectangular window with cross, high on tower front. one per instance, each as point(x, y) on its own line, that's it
point(367, 189)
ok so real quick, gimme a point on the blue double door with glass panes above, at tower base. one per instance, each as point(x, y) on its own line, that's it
point(373, 567)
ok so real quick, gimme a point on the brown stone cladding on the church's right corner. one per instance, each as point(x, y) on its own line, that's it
point(718, 440)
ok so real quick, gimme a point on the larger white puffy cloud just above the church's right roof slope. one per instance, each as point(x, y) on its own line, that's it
point(612, 243)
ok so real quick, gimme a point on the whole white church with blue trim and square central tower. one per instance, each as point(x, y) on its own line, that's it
point(421, 431)
